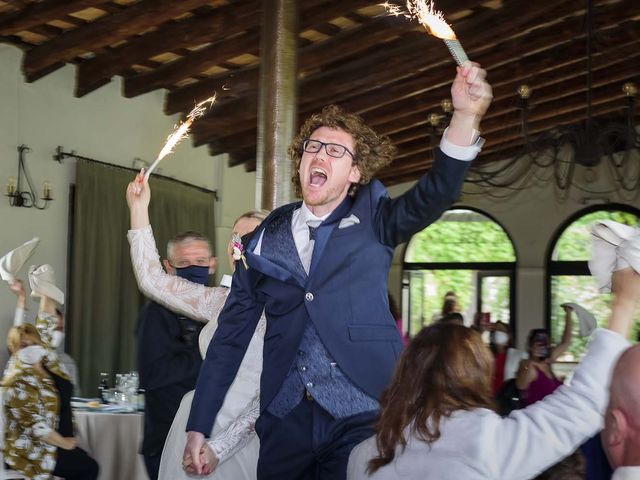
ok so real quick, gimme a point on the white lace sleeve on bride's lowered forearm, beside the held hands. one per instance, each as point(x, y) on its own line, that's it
point(229, 441)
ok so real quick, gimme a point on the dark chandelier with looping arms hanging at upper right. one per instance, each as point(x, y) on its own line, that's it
point(555, 154)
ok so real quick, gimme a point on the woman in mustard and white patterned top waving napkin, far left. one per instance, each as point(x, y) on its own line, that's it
point(39, 433)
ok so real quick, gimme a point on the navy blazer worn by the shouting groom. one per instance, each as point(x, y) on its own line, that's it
point(345, 294)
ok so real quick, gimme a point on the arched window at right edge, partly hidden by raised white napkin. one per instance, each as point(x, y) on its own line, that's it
point(568, 276)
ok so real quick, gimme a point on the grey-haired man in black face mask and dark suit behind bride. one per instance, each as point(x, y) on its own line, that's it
point(168, 355)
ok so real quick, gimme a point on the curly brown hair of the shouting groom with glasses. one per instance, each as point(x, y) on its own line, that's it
point(372, 151)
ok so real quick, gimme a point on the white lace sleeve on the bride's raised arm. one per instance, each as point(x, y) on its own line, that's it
point(190, 299)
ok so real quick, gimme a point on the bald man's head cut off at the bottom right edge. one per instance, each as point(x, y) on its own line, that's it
point(621, 434)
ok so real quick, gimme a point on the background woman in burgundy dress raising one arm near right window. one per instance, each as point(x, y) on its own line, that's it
point(535, 379)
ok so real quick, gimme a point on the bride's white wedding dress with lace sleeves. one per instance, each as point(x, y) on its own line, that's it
point(233, 438)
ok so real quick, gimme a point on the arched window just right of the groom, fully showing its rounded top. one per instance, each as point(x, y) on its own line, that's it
point(467, 252)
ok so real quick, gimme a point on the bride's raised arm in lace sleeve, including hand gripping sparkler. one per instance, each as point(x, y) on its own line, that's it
point(190, 299)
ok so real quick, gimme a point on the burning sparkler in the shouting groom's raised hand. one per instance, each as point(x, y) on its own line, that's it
point(425, 13)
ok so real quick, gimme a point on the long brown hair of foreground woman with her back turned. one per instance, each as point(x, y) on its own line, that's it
point(445, 368)
